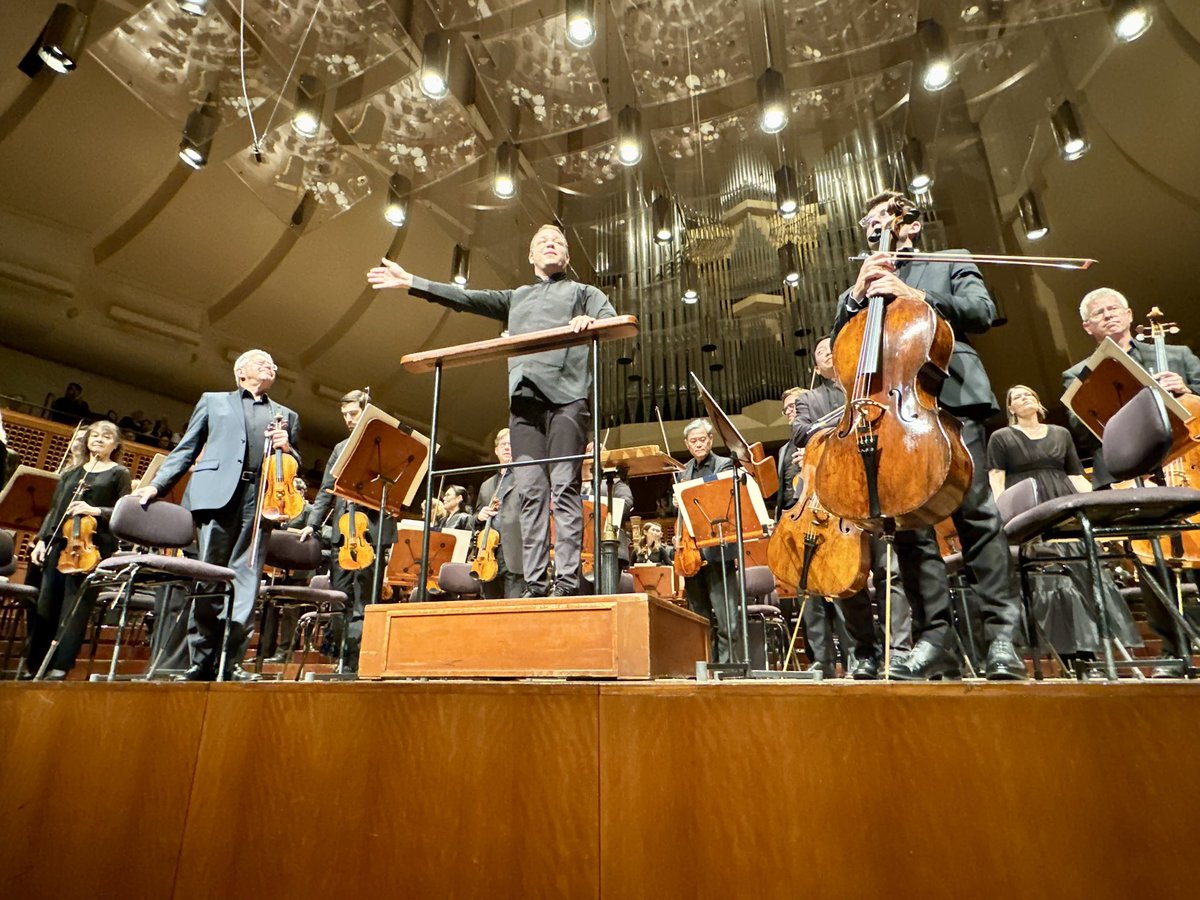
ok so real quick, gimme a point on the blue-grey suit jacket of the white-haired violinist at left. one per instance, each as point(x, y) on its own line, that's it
point(218, 429)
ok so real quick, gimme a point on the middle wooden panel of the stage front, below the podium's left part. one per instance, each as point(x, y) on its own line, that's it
point(403, 790)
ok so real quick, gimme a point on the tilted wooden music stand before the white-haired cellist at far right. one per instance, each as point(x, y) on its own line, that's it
point(1109, 380)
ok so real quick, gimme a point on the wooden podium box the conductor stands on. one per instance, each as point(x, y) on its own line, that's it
point(609, 637)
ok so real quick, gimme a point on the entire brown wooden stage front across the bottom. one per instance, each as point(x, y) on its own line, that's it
point(599, 790)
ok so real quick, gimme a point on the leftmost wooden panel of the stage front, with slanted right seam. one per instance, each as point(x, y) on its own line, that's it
point(94, 788)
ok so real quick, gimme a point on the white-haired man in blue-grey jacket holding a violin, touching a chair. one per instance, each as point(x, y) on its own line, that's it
point(229, 429)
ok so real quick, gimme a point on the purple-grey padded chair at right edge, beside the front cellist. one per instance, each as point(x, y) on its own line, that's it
point(1137, 441)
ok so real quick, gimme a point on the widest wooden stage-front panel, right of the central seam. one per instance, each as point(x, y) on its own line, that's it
point(927, 791)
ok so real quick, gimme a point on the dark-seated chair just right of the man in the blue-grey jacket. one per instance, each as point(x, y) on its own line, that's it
point(320, 602)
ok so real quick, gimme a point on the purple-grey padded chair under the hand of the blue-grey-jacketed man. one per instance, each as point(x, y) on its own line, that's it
point(152, 530)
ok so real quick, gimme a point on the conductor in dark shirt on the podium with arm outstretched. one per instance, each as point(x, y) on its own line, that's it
point(549, 410)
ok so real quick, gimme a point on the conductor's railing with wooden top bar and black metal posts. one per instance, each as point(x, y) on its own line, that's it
point(469, 355)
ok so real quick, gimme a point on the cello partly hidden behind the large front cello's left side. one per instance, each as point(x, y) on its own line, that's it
point(814, 551)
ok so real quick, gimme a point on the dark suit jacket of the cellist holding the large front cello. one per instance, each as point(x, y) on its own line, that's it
point(958, 293)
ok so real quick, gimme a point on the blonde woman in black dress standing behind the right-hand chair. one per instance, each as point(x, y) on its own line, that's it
point(1061, 596)
